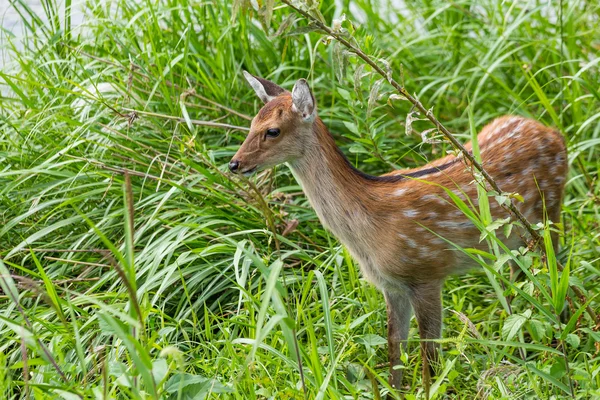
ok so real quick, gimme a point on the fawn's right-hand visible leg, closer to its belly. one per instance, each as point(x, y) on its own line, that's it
point(426, 301)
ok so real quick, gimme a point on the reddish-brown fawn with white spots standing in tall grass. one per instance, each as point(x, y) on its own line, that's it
point(400, 226)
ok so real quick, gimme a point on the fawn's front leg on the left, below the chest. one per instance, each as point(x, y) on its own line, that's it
point(398, 311)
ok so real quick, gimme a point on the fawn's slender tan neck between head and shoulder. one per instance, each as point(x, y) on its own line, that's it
point(338, 192)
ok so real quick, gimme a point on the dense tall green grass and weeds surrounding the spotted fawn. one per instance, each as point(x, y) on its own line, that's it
point(134, 266)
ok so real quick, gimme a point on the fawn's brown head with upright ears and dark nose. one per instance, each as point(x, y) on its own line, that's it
point(282, 128)
